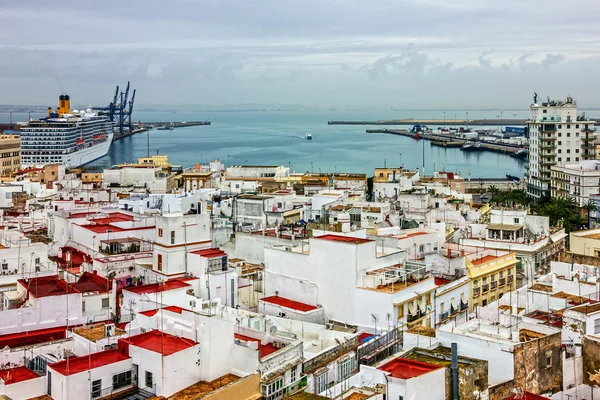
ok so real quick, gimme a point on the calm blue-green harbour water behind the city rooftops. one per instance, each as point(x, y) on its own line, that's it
point(277, 138)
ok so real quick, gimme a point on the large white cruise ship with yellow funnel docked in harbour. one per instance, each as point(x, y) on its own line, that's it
point(72, 138)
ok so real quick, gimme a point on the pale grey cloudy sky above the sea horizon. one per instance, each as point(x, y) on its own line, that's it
point(408, 54)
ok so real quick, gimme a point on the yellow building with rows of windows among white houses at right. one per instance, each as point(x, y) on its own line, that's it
point(491, 274)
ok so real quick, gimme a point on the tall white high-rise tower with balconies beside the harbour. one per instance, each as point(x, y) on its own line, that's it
point(557, 135)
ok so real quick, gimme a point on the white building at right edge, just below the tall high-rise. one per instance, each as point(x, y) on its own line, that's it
point(578, 180)
